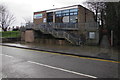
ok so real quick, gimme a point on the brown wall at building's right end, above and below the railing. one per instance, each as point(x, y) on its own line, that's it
point(87, 16)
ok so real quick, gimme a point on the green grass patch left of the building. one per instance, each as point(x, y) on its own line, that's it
point(10, 34)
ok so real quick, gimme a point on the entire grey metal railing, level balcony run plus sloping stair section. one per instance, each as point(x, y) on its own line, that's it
point(50, 28)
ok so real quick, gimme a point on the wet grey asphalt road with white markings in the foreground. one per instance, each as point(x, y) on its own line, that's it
point(24, 63)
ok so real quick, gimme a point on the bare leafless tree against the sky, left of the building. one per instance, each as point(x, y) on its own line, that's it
point(6, 19)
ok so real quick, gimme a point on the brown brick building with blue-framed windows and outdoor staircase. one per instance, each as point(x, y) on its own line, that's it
point(74, 24)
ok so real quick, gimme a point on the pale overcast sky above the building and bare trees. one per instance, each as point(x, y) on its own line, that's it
point(23, 9)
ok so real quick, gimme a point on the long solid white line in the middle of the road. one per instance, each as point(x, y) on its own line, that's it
point(61, 69)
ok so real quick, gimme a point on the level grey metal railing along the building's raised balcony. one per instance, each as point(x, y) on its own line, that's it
point(90, 25)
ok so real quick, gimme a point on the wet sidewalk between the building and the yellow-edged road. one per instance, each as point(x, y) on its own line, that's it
point(83, 51)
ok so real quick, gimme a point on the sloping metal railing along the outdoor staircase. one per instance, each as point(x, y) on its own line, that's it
point(59, 34)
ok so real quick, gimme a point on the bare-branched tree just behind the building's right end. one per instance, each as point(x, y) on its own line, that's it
point(99, 9)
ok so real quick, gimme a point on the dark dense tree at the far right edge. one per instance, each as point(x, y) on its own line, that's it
point(113, 20)
